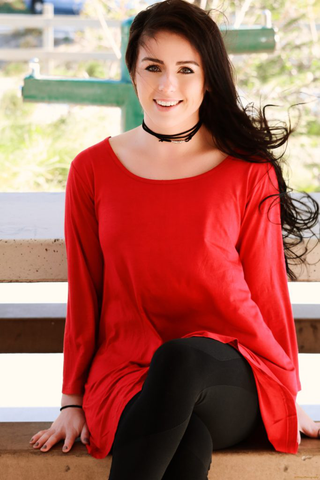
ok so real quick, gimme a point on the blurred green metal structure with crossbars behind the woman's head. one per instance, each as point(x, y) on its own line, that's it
point(38, 88)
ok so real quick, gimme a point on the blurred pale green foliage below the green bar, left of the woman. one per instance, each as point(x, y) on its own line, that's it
point(35, 152)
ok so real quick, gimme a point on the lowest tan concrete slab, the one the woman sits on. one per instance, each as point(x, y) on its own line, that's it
point(253, 459)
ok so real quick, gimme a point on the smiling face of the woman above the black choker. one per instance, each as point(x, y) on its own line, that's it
point(170, 83)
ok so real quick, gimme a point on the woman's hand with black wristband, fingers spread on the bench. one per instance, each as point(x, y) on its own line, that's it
point(70, 424)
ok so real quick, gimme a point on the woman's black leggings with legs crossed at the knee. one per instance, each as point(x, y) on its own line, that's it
point(199, 396)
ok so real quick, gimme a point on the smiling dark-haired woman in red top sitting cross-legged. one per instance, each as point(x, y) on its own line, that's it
point(179, 337)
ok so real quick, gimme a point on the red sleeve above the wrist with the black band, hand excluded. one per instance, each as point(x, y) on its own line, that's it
point(85, 274)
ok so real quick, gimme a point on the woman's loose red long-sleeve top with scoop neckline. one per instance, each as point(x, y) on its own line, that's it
point(151, 260)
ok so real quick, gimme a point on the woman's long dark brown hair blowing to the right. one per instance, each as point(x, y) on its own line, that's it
point(243, 132)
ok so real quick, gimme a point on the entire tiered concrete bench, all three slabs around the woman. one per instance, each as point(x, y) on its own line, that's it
point(32, 250)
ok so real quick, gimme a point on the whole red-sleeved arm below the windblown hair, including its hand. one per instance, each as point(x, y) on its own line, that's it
point(260, 247)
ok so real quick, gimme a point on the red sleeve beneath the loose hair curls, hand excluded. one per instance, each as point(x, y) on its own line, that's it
point(261, 253)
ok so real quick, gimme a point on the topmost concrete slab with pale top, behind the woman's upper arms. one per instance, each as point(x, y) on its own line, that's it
point(32, 246)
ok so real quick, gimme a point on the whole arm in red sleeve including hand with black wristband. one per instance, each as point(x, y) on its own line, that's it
point(85, 284)
